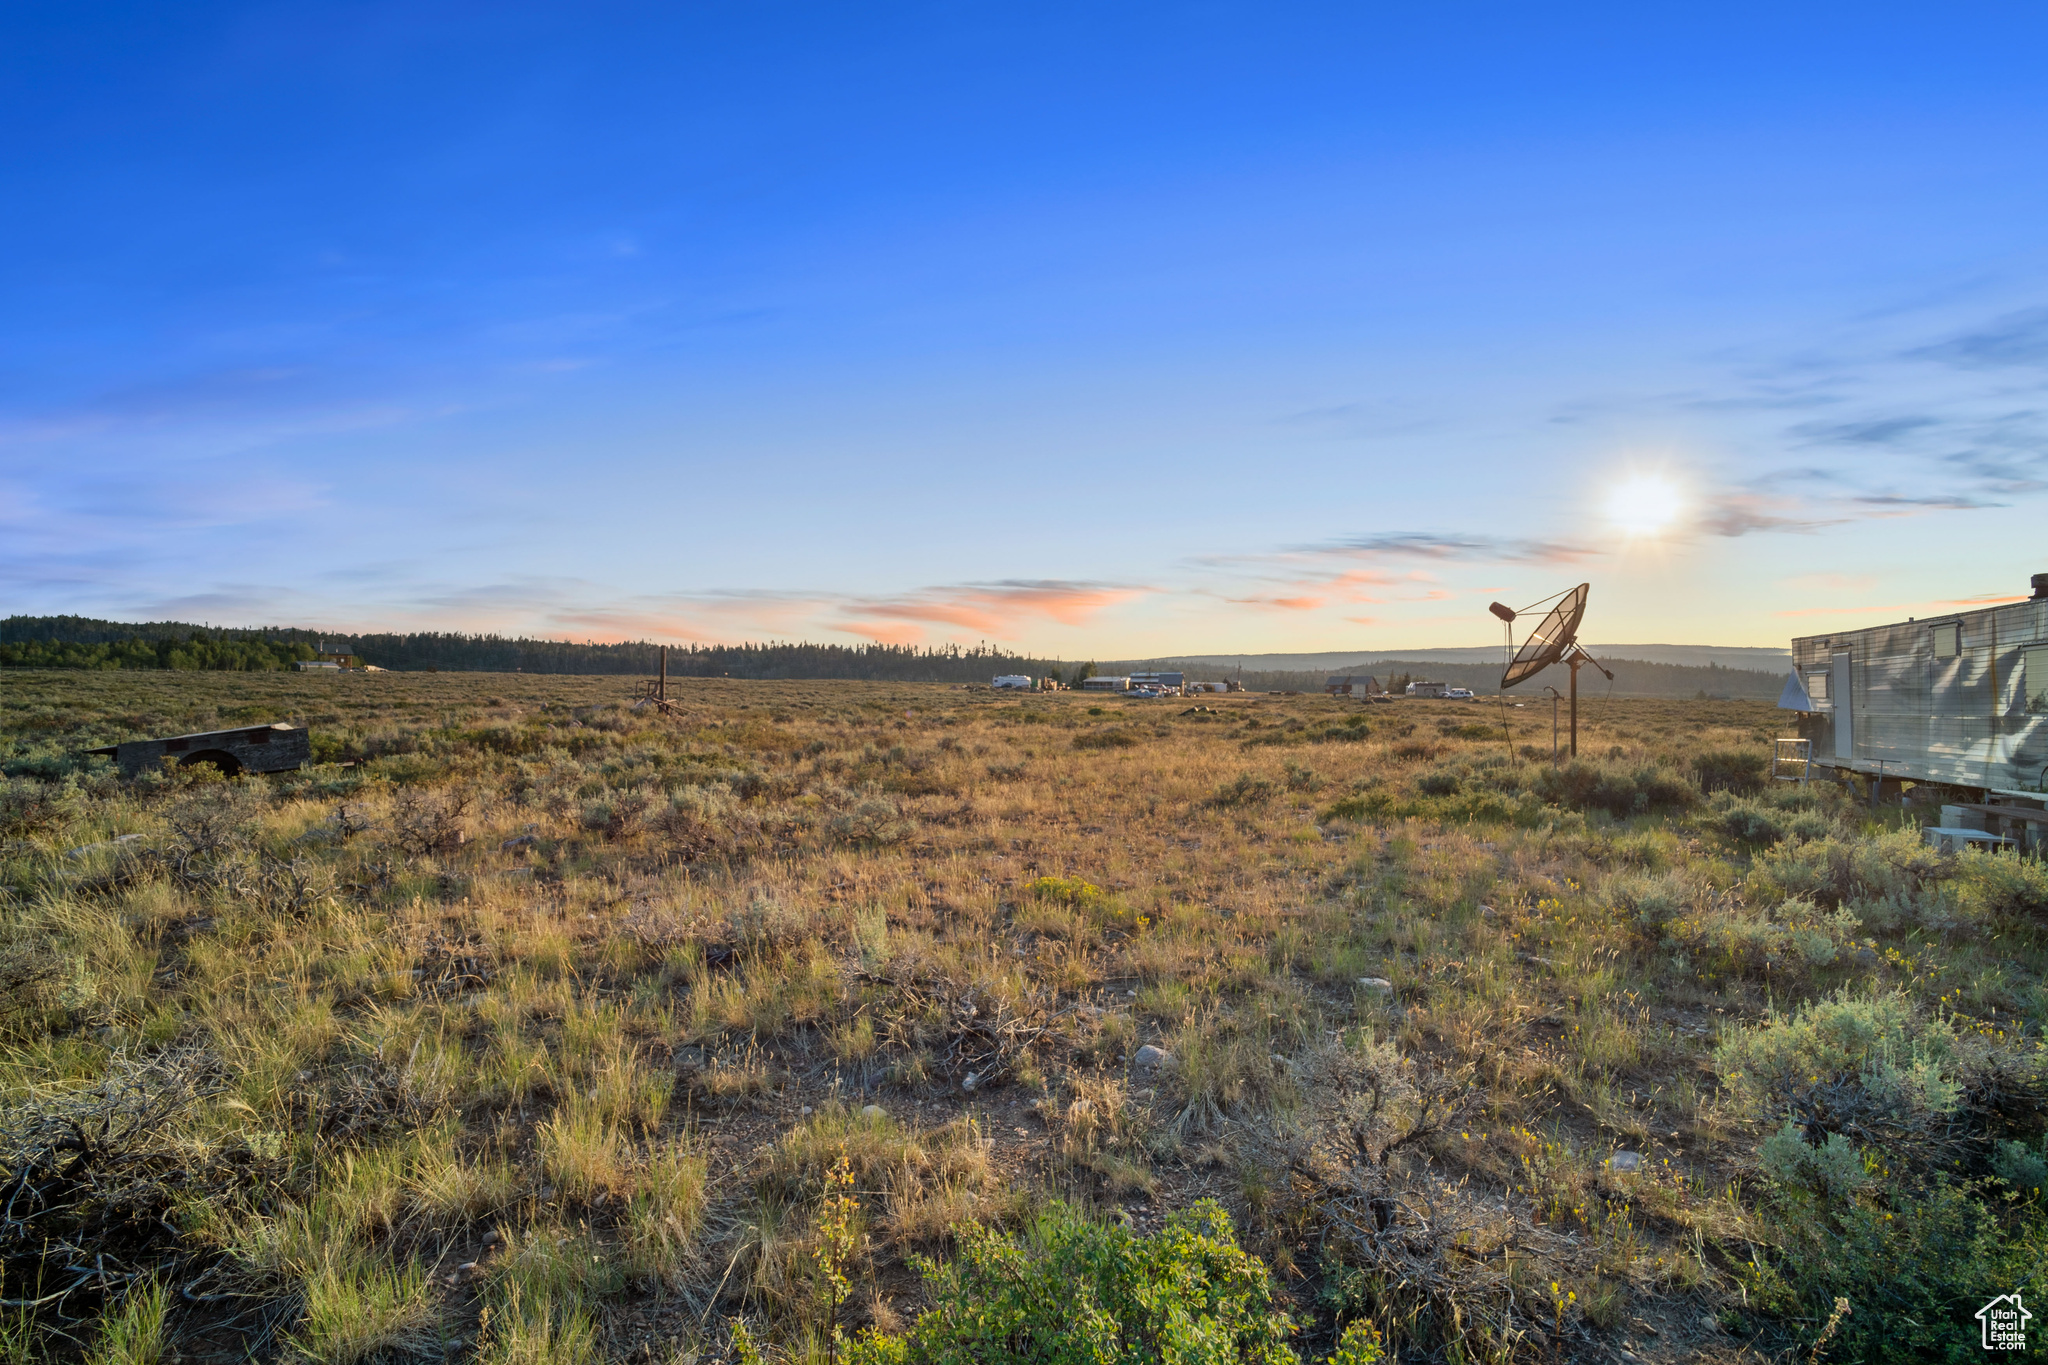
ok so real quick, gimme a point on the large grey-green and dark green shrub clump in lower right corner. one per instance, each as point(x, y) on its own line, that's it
point(1885, 1184)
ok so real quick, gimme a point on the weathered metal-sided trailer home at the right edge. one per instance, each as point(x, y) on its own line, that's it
point(1959, 701)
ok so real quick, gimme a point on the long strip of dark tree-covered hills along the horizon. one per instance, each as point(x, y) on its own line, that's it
point(87, 644)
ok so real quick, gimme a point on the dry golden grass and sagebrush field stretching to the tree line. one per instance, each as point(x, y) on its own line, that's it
point(529, 1026)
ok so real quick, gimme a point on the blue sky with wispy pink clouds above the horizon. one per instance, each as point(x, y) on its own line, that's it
point(1199, 328)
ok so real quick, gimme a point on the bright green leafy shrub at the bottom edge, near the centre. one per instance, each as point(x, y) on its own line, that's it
point(1074, 1292)
